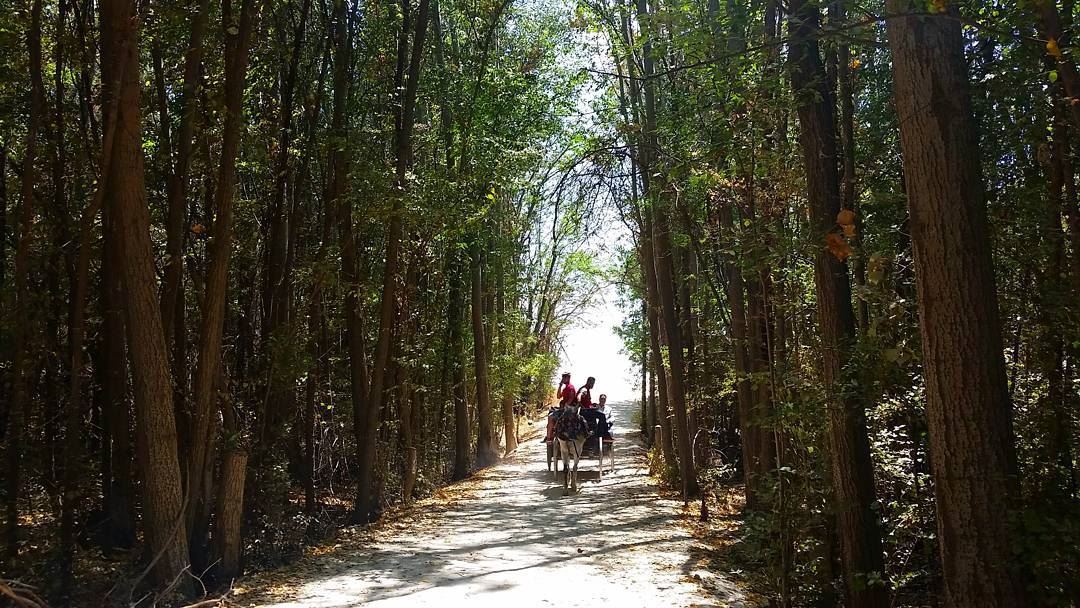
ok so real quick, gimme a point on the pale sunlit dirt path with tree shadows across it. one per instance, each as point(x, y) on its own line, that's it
point(510, 539)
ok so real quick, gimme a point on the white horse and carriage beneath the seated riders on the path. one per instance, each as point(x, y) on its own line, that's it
point(598, 443)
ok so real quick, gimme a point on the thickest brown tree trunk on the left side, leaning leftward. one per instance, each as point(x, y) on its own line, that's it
point(156, 428)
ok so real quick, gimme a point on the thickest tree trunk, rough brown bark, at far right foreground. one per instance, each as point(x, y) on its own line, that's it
point(968, 410)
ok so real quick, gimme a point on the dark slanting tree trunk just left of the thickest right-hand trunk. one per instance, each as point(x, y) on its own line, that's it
point(853, 470)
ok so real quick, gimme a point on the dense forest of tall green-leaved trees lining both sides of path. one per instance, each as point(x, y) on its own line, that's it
point(274, 269)
